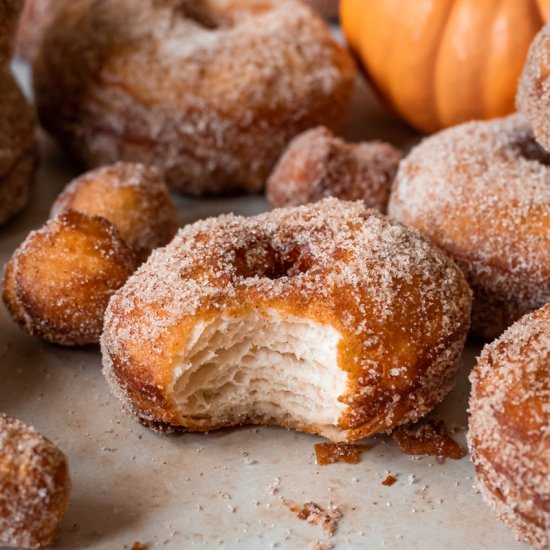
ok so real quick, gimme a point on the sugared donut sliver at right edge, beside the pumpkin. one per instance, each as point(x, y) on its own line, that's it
point(533, 97)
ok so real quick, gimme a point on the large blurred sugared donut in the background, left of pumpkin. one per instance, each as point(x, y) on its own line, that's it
point(210, 91)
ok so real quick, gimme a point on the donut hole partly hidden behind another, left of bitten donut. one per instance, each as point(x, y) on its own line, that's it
point(133, 197)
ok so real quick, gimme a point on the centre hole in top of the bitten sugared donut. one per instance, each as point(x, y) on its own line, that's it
point(262, 259)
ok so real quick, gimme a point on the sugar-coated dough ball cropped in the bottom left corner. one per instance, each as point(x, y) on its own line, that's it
point(34, 486)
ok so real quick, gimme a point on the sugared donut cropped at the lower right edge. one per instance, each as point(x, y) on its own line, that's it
point(508, 428)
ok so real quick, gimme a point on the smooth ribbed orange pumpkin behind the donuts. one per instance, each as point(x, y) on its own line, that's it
point(442, 62)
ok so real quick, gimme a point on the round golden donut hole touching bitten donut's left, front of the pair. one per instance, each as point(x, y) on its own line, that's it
point(58, 282)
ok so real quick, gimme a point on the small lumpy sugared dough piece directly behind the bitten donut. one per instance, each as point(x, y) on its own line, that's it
point(317, 164)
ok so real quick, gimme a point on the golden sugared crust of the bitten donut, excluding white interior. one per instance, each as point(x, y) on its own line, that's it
point(401, 306)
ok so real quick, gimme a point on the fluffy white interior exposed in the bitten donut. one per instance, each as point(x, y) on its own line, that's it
point(269, 367)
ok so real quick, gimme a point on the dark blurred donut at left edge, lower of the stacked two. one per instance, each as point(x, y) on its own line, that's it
point(18, 153)
